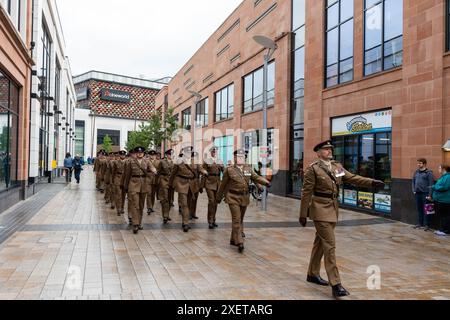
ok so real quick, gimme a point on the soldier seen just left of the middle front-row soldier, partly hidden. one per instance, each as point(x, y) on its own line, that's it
point(165, 167)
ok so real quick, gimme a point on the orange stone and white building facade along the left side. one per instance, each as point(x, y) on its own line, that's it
point(37, 94)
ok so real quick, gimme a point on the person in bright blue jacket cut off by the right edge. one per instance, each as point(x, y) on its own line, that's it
point(441, 197)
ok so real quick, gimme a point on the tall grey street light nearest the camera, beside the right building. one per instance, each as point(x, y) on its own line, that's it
point(271, 46)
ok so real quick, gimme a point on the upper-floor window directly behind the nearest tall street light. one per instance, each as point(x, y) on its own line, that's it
point(253, 89)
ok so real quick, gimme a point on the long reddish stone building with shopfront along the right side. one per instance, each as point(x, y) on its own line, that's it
point(371, 75)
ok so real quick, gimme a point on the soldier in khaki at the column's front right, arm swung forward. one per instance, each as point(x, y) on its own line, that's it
point(235, 188)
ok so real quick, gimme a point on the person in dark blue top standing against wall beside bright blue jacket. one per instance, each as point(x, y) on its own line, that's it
point(422, 182)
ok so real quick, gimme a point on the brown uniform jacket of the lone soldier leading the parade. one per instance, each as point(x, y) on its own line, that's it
point(319, 180)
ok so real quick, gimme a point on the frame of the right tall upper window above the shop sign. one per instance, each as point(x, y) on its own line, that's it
point(383, 39)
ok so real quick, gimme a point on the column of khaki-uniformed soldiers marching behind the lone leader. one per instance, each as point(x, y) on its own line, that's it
point(141, 176)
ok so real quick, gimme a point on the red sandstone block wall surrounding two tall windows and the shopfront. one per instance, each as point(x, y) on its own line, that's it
point(415, 91)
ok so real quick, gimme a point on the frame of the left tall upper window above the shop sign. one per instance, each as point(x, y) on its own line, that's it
point(338, 28)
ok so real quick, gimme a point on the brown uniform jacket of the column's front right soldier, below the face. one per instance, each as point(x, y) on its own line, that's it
point(235, 185)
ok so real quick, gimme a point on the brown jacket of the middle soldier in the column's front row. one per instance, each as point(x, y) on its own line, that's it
point(184, 177)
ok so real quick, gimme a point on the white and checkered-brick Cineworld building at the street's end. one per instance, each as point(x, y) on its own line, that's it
point(113, 105)
